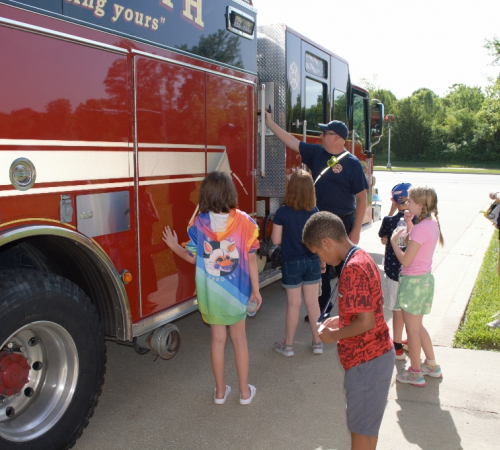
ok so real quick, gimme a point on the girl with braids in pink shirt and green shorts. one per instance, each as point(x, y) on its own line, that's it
point(416, 282)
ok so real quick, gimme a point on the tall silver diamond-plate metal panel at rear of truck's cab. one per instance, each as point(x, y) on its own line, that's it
point(271, 66)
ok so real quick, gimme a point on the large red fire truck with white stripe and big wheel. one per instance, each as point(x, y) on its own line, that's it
point(111, 115)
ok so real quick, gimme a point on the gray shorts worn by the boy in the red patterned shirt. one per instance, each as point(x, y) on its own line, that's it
point(367, 388)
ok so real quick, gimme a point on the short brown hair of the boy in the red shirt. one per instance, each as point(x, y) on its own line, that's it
point(323, 225)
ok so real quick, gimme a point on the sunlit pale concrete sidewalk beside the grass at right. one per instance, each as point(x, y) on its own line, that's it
point(462, 409)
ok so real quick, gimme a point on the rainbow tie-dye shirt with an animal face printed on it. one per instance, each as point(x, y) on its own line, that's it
point(222, 270)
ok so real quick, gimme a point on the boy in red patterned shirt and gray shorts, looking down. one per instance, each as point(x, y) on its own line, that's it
point(364, 345)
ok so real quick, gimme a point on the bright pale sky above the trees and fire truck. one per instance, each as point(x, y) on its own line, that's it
point(400, 45)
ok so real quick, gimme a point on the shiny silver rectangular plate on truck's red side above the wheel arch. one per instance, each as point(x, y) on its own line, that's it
point(101, 214)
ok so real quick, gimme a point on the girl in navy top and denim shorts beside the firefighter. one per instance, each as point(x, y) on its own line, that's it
point(301, 268)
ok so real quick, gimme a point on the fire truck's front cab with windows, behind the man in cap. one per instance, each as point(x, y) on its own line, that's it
point(305, 84)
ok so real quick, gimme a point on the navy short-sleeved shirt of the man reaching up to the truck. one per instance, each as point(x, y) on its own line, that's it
point(336, 188)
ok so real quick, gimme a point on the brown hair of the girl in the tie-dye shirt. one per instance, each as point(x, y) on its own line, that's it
point(217, 193)
